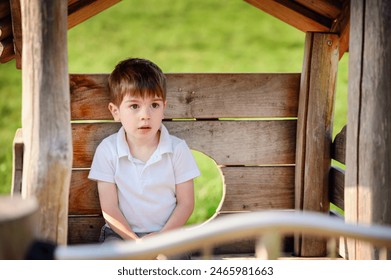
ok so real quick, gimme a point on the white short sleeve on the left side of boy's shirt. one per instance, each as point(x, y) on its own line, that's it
point(103, 164)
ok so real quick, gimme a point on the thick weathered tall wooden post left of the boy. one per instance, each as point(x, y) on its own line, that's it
point(46, 114)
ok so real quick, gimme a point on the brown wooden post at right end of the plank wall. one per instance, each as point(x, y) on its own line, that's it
point(314, 132)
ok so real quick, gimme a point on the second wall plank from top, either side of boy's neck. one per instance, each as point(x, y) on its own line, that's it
point(227, 142)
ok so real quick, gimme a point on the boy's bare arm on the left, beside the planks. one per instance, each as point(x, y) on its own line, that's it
point(112, 214)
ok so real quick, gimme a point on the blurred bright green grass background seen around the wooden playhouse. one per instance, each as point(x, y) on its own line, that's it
point(180, 36)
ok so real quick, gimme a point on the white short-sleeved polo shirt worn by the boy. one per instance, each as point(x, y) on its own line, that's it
point(146, 191)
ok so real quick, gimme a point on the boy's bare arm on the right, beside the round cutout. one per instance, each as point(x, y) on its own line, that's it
point(184, 208)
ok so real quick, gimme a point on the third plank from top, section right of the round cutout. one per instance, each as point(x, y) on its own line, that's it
point(258, 188)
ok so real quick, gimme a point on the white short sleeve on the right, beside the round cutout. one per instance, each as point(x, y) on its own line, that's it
point(185, 166)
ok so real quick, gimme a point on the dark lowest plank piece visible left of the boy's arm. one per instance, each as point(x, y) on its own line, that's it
point(84, 229)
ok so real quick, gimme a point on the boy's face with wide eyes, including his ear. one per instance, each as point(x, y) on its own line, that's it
point(140, 117)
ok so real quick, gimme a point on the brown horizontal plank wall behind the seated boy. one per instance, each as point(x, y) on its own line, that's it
point(256, 156)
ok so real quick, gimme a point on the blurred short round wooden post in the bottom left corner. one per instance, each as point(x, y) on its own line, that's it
point(17, 226)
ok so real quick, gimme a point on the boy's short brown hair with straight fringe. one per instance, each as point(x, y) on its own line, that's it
point(137, 77)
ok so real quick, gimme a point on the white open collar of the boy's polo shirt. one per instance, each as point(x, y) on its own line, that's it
point(164, 146)
